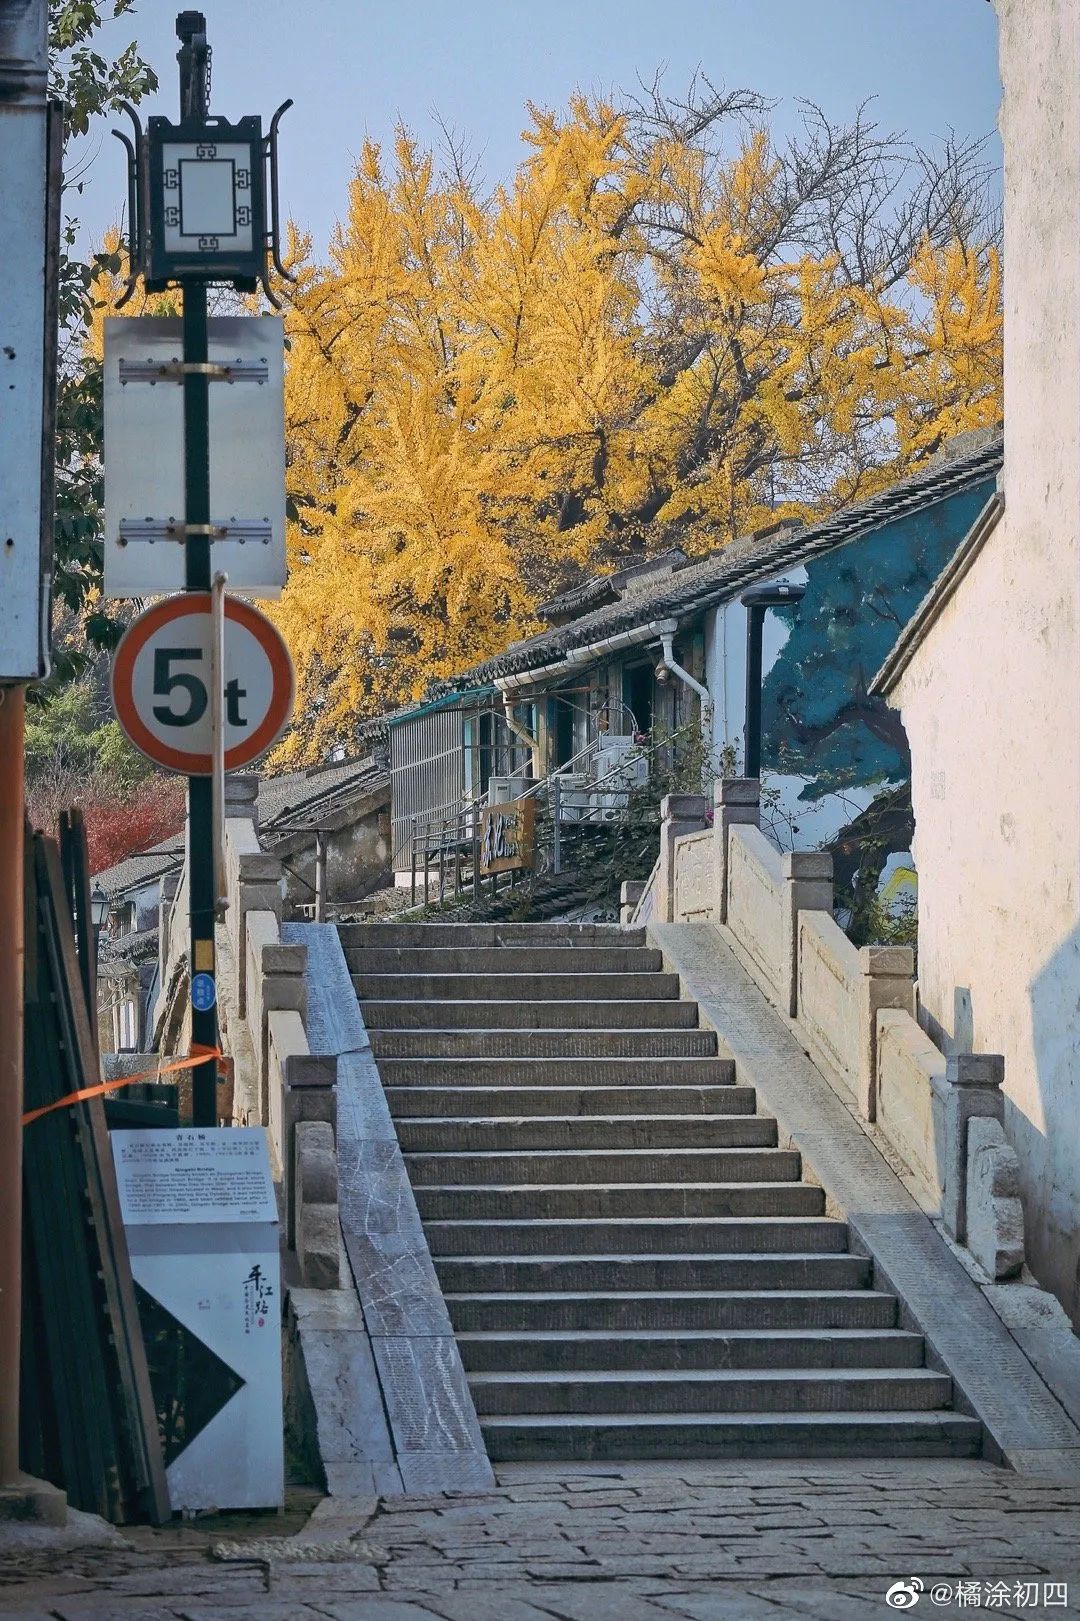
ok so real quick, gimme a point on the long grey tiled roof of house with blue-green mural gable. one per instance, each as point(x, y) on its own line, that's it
point(967, 461)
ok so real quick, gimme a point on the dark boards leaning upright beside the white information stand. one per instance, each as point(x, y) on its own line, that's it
point(88, 1413)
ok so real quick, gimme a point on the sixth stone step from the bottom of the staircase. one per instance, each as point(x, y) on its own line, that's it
point(636, 1236)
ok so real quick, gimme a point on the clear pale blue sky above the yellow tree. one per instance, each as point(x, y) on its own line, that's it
point(356, 67)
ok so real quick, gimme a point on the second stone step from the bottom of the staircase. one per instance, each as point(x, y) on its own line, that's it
point(713, 1392)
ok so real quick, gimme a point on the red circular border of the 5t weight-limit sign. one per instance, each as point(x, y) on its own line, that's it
point(134, 641)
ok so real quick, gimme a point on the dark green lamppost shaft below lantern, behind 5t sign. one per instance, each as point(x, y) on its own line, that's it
point(202, 896)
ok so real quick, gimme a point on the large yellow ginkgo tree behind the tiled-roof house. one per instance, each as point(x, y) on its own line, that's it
point(666, 328)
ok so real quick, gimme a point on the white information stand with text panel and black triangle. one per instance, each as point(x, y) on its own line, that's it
point(202, 1223)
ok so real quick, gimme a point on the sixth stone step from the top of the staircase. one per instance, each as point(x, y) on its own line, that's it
point(557, 1072)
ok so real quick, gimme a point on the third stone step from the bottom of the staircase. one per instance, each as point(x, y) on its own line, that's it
point(680, 1349)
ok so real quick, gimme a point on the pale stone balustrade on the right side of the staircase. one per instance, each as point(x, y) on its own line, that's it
point(854, 1009)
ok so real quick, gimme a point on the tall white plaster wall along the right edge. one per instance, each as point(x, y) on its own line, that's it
point(992, 701)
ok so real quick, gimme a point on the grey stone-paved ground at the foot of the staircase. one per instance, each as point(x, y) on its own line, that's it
point(591, 1544)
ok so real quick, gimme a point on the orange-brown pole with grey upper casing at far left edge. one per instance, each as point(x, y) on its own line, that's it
point(32, 148)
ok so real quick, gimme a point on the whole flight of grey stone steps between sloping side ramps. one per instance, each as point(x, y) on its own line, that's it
point(633, 1267)
